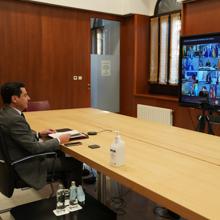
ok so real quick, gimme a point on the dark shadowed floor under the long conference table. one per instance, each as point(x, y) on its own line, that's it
point(127, 204)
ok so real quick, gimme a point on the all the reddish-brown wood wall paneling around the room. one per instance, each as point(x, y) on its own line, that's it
point(45, 46)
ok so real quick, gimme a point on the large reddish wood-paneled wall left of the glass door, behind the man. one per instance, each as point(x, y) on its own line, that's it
point(45, 46)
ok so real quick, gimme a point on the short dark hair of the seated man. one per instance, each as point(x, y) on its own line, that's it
point(9, 89)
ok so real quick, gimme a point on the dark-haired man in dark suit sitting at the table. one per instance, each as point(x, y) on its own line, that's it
point(21, 141)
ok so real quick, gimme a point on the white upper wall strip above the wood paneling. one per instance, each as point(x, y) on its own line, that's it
point(120, 7)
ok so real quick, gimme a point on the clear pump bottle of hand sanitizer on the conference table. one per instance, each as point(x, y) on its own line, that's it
point(117, 151)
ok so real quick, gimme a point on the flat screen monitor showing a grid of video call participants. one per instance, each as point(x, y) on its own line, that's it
point(200, 70)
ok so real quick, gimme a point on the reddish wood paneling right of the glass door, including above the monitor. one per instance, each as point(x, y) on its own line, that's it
point(198, 17)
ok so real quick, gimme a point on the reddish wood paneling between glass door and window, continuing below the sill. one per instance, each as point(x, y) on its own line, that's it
point(134, 73)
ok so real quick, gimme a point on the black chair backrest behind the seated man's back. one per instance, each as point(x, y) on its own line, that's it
point(7, 173)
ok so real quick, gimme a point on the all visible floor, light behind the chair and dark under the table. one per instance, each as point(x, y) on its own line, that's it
point(126, 203)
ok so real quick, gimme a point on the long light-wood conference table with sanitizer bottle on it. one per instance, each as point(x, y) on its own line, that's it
point(176, 168)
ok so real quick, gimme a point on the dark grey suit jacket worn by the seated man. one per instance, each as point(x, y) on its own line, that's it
point(21, 142)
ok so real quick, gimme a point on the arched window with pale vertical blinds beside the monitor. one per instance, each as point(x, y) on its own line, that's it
point(165, 29)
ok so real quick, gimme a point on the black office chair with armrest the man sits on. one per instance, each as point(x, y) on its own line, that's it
point(10, 179)
